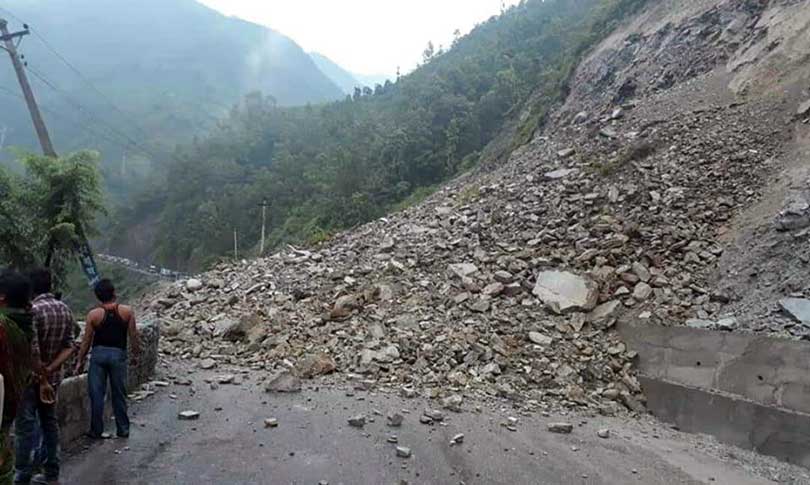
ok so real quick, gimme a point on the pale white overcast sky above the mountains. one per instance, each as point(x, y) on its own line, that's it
point(365, 36)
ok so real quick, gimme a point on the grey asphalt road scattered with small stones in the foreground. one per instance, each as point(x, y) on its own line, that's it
point(314, 444)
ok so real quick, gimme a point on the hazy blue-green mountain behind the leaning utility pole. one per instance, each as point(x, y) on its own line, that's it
point(173, 67)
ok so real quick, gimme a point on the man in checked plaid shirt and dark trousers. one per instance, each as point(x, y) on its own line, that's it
point(53, 324)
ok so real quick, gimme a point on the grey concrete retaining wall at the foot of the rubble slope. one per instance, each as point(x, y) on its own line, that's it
point(747, 390)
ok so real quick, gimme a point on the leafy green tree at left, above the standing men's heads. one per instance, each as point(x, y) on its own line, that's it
point(47, 210)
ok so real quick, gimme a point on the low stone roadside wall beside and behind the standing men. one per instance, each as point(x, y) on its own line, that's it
point(73, 408)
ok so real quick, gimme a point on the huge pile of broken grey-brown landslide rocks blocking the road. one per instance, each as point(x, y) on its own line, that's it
point(509, 283)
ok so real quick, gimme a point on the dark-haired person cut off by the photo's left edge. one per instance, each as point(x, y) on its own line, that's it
point(17, 344)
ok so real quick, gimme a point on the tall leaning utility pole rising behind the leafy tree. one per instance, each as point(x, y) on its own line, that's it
point(82, 246)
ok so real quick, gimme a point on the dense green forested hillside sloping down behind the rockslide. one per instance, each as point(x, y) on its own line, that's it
point(328, 167)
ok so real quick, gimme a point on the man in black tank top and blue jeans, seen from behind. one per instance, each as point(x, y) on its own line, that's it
point(109, 328)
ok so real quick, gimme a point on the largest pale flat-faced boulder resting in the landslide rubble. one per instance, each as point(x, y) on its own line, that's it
point(564, 292)
